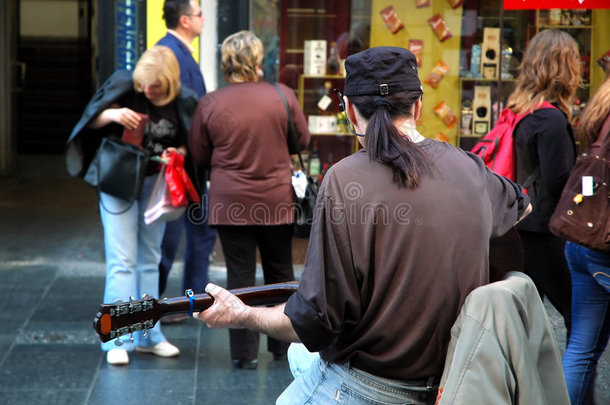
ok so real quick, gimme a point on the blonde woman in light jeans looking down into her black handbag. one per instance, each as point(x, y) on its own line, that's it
point(133, 249)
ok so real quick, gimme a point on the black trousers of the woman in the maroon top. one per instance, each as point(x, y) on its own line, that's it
point(239, 245)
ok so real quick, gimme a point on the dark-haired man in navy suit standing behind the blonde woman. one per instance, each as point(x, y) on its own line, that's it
point(184, 21)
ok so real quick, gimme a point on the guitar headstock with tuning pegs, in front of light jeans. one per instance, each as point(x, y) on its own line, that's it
point(123, 318)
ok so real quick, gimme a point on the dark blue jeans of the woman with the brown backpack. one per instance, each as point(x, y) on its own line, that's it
point(590, 317)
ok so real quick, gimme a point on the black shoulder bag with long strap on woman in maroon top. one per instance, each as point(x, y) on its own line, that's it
point(305, 206)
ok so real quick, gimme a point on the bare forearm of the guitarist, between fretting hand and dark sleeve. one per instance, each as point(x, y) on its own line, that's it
point(270, 321)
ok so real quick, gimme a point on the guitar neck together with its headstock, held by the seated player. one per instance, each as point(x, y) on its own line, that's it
point(122, 318)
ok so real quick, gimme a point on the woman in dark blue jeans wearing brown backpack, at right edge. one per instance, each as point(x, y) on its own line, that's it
point(590, 270)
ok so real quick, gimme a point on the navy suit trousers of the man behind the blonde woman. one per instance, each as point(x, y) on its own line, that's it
point(200, 239)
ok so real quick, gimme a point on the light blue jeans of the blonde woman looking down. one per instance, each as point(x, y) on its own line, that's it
point(133, 252)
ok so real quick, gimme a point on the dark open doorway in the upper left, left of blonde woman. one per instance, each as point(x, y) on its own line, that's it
point(55, 58)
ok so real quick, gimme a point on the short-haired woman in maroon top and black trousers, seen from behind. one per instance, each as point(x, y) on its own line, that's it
point(240, 133)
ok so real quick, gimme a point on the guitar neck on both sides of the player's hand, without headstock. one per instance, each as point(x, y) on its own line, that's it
point(270, 294)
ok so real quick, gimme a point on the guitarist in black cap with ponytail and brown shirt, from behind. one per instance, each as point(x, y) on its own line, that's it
point(388, 265)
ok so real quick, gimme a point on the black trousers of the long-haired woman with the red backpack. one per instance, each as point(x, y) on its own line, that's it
point(546, 264)
